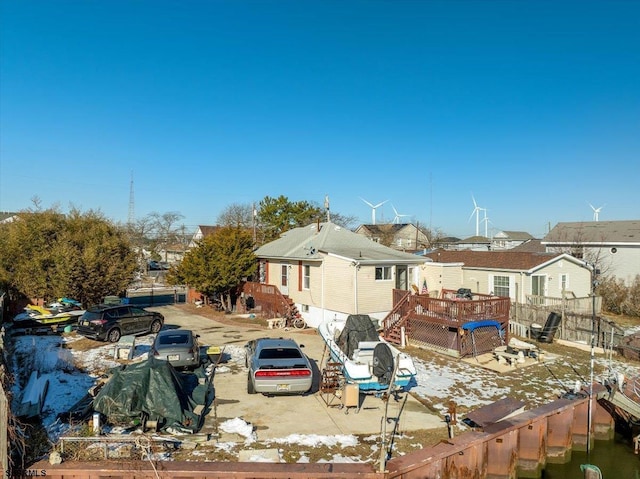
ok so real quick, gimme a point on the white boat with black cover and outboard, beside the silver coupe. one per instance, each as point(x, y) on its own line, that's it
point(367, 359)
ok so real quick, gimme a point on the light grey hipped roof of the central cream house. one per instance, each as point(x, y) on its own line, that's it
point(308, 242)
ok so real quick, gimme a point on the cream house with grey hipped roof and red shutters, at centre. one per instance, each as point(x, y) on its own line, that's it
point(329, 271)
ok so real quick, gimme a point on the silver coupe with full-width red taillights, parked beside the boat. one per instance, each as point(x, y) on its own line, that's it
point(277, 366)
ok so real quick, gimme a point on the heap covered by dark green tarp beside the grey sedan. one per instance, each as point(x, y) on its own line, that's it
point(154, 390)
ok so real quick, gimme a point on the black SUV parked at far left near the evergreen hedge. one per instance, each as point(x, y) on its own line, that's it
point(110, 322)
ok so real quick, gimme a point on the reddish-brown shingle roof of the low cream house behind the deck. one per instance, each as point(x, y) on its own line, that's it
point(510, 259)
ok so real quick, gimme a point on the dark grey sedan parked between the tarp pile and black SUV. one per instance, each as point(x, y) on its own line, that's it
point(178, 346)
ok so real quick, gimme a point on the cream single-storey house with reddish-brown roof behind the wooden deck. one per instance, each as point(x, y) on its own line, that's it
point(508, 273)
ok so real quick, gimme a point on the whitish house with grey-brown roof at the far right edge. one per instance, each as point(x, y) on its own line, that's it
point(613, 246)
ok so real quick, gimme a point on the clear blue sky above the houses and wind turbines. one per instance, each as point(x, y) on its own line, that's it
point(531, 108)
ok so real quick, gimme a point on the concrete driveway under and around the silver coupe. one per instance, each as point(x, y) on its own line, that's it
point(281, 416)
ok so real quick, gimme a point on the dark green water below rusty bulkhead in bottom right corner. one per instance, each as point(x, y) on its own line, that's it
point(615, 459)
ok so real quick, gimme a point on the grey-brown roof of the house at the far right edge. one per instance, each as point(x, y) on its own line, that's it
point(598, 232)
